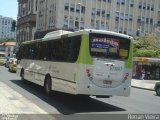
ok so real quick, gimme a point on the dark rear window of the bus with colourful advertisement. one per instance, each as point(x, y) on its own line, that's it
point(109, 46)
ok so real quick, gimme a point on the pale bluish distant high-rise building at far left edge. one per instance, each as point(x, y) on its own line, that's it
point(6, 28)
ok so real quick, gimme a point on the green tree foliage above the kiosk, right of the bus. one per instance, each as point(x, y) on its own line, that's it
point(147, 46)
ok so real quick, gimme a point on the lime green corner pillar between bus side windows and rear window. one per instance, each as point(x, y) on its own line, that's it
point(84, 55)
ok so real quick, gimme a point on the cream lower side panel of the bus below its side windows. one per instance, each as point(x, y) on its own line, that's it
point(62, 74)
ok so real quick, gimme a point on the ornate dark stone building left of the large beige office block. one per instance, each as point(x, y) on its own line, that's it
point(26, 20)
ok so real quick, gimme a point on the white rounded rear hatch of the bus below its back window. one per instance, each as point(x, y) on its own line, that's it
point(108, 73)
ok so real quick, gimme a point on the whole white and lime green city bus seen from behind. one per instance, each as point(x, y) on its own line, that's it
point(86, 62)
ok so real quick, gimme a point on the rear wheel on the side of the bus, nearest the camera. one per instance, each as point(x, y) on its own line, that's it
point(47, 85)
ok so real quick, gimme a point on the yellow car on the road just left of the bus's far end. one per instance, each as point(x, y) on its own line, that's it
point(13, 65)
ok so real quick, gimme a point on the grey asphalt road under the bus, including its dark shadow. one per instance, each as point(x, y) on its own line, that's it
point(140, 101)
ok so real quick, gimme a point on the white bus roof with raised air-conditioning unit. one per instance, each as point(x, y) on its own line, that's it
point(62, 33)
